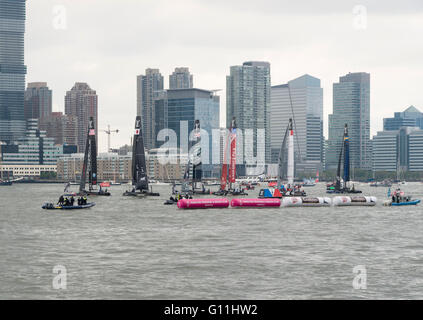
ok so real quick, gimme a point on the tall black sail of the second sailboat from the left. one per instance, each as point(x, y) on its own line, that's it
point(139, 169)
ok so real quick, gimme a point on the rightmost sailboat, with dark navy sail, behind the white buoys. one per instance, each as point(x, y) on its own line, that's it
point(342, 185)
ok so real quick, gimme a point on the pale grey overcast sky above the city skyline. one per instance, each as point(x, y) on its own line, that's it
point(107, 43)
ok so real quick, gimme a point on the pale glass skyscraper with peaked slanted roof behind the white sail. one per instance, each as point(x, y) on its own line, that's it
point(306, 96)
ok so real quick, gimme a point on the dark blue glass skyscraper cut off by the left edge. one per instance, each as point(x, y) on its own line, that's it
point(12, 70)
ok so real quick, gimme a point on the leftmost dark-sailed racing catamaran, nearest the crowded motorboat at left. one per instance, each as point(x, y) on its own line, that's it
point(90, 165)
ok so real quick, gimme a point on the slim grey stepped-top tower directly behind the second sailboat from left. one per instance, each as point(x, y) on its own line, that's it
point(146, 86)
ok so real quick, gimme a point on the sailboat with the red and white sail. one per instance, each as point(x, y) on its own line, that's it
point(233, 190)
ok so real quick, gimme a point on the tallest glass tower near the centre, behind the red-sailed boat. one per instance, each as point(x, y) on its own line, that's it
point(248, 99)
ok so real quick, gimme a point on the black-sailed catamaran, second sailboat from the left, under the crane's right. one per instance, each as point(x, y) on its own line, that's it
point(139, 168)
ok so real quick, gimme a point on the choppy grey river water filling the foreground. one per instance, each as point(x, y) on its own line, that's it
point(128, 248)
